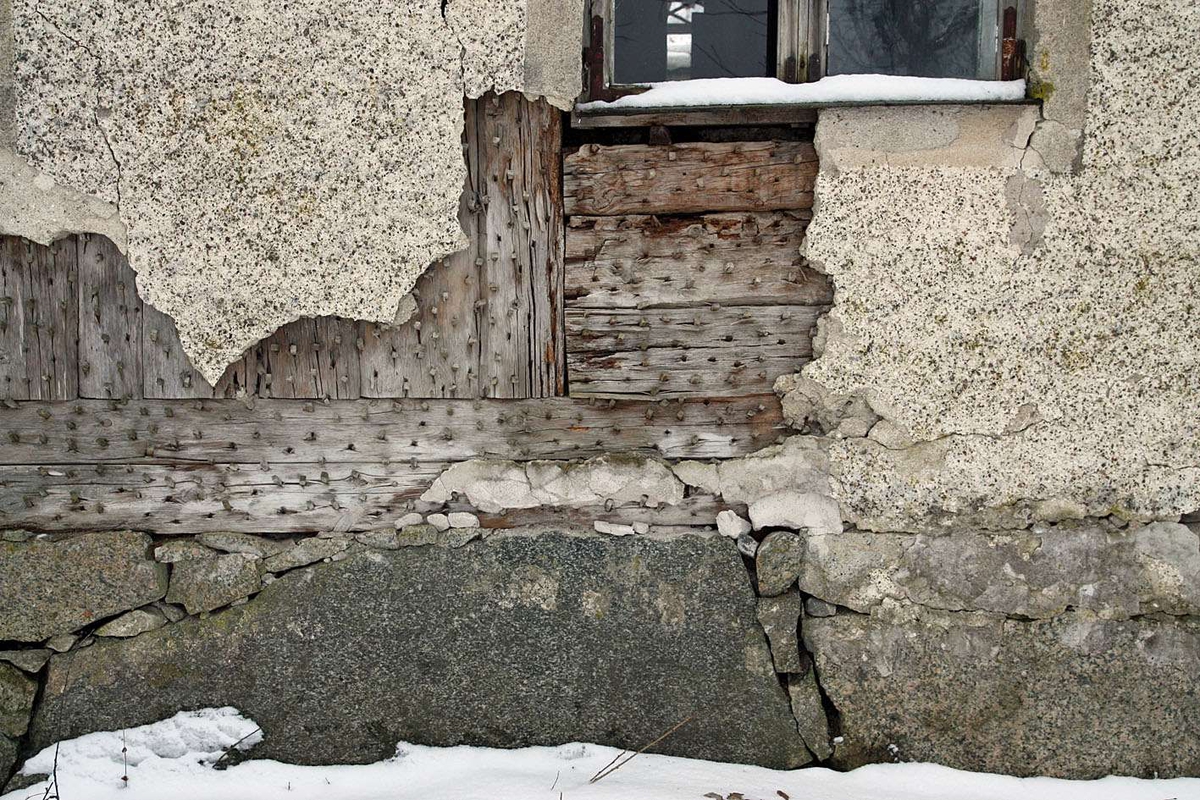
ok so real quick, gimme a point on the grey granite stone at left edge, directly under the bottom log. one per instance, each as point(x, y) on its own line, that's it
point(57, 585)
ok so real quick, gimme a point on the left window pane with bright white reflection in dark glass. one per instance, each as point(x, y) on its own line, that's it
point(676, 40)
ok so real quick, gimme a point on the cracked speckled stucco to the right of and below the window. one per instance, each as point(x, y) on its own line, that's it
point(1012, 340)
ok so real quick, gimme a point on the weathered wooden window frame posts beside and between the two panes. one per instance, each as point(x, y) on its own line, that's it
point(801, 47)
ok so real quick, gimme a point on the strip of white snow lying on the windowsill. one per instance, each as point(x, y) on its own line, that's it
point(835, 89)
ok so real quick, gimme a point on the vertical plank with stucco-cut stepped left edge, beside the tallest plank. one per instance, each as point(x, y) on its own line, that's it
point(436, 353)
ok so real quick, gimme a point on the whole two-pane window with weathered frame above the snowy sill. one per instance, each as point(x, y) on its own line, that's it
point(638, 43)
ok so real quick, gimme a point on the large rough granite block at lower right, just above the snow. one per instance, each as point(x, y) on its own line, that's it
point(1075, 696)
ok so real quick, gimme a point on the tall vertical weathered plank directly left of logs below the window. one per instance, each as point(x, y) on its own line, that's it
point(523, 248)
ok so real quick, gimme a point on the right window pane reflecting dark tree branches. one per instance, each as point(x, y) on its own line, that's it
point(934, 39)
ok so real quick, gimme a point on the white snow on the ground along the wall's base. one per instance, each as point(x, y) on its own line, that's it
point(171, 760)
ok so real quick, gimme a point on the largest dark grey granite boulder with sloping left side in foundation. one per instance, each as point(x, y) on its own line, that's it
point(517, 640)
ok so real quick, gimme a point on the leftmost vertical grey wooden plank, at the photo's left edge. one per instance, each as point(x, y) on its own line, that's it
point(39, 321)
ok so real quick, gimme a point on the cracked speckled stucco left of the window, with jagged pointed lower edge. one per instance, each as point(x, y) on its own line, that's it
point(261, 161)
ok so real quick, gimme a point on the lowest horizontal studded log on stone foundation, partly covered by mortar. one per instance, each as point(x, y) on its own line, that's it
point(266, 500)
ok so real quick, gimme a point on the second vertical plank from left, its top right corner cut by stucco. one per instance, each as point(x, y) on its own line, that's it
point(110, 322)
